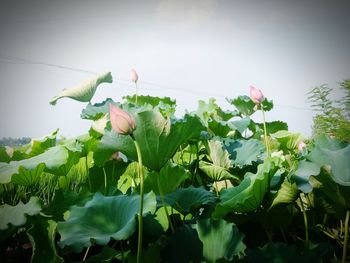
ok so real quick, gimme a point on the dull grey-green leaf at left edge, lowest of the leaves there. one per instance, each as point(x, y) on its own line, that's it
point(16, 215)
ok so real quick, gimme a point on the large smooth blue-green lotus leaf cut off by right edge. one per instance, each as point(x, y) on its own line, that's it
point(331, 152)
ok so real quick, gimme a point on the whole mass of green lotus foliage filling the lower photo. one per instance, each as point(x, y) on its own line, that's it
point(213, 191)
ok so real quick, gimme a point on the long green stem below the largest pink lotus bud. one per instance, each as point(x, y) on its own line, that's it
point(140, 171)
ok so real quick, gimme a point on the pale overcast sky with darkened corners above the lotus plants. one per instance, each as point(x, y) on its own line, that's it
point(185, 49)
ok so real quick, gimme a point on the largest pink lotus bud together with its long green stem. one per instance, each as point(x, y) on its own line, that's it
point(123, 123)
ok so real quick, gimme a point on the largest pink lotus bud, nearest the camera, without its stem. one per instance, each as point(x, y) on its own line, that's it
point(121, 121)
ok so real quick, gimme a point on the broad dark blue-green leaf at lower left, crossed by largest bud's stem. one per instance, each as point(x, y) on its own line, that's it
point(103, 218)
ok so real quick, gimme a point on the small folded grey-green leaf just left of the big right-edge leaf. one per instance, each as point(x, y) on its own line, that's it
point(303, 173)
